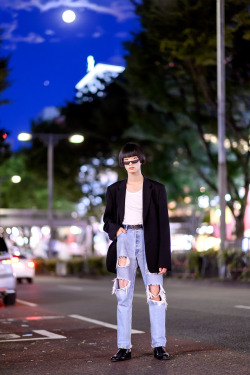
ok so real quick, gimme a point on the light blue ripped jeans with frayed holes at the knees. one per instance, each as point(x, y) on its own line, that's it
point(131, 246)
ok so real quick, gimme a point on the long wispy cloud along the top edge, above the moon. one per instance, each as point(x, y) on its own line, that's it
point(120, 9)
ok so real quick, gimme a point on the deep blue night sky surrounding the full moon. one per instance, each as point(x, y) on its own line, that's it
point(48, 56)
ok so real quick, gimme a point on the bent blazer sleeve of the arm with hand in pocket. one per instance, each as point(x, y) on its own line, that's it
point(109, 217)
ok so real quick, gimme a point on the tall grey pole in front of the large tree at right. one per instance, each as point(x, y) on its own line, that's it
point(222, 172)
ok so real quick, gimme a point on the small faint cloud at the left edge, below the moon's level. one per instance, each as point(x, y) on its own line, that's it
point(8, 35)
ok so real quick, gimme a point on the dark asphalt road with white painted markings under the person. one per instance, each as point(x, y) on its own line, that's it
point(68, 326)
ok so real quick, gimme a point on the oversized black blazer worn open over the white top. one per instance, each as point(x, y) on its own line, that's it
point(155, 220)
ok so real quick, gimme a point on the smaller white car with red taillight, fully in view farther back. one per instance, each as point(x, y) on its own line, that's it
point(23, 267)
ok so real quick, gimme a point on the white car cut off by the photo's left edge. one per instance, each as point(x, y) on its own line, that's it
point(7, 277)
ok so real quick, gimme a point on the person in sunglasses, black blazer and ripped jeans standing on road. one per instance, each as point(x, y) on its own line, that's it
point(136, 216)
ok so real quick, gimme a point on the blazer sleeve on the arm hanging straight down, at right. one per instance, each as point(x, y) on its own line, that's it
point(164, 231)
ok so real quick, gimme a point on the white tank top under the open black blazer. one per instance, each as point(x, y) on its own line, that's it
point(133, 208)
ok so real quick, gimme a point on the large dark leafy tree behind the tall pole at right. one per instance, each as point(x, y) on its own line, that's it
point(171, 70)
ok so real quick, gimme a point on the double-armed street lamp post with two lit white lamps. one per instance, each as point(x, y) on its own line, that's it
point(50, 140)
